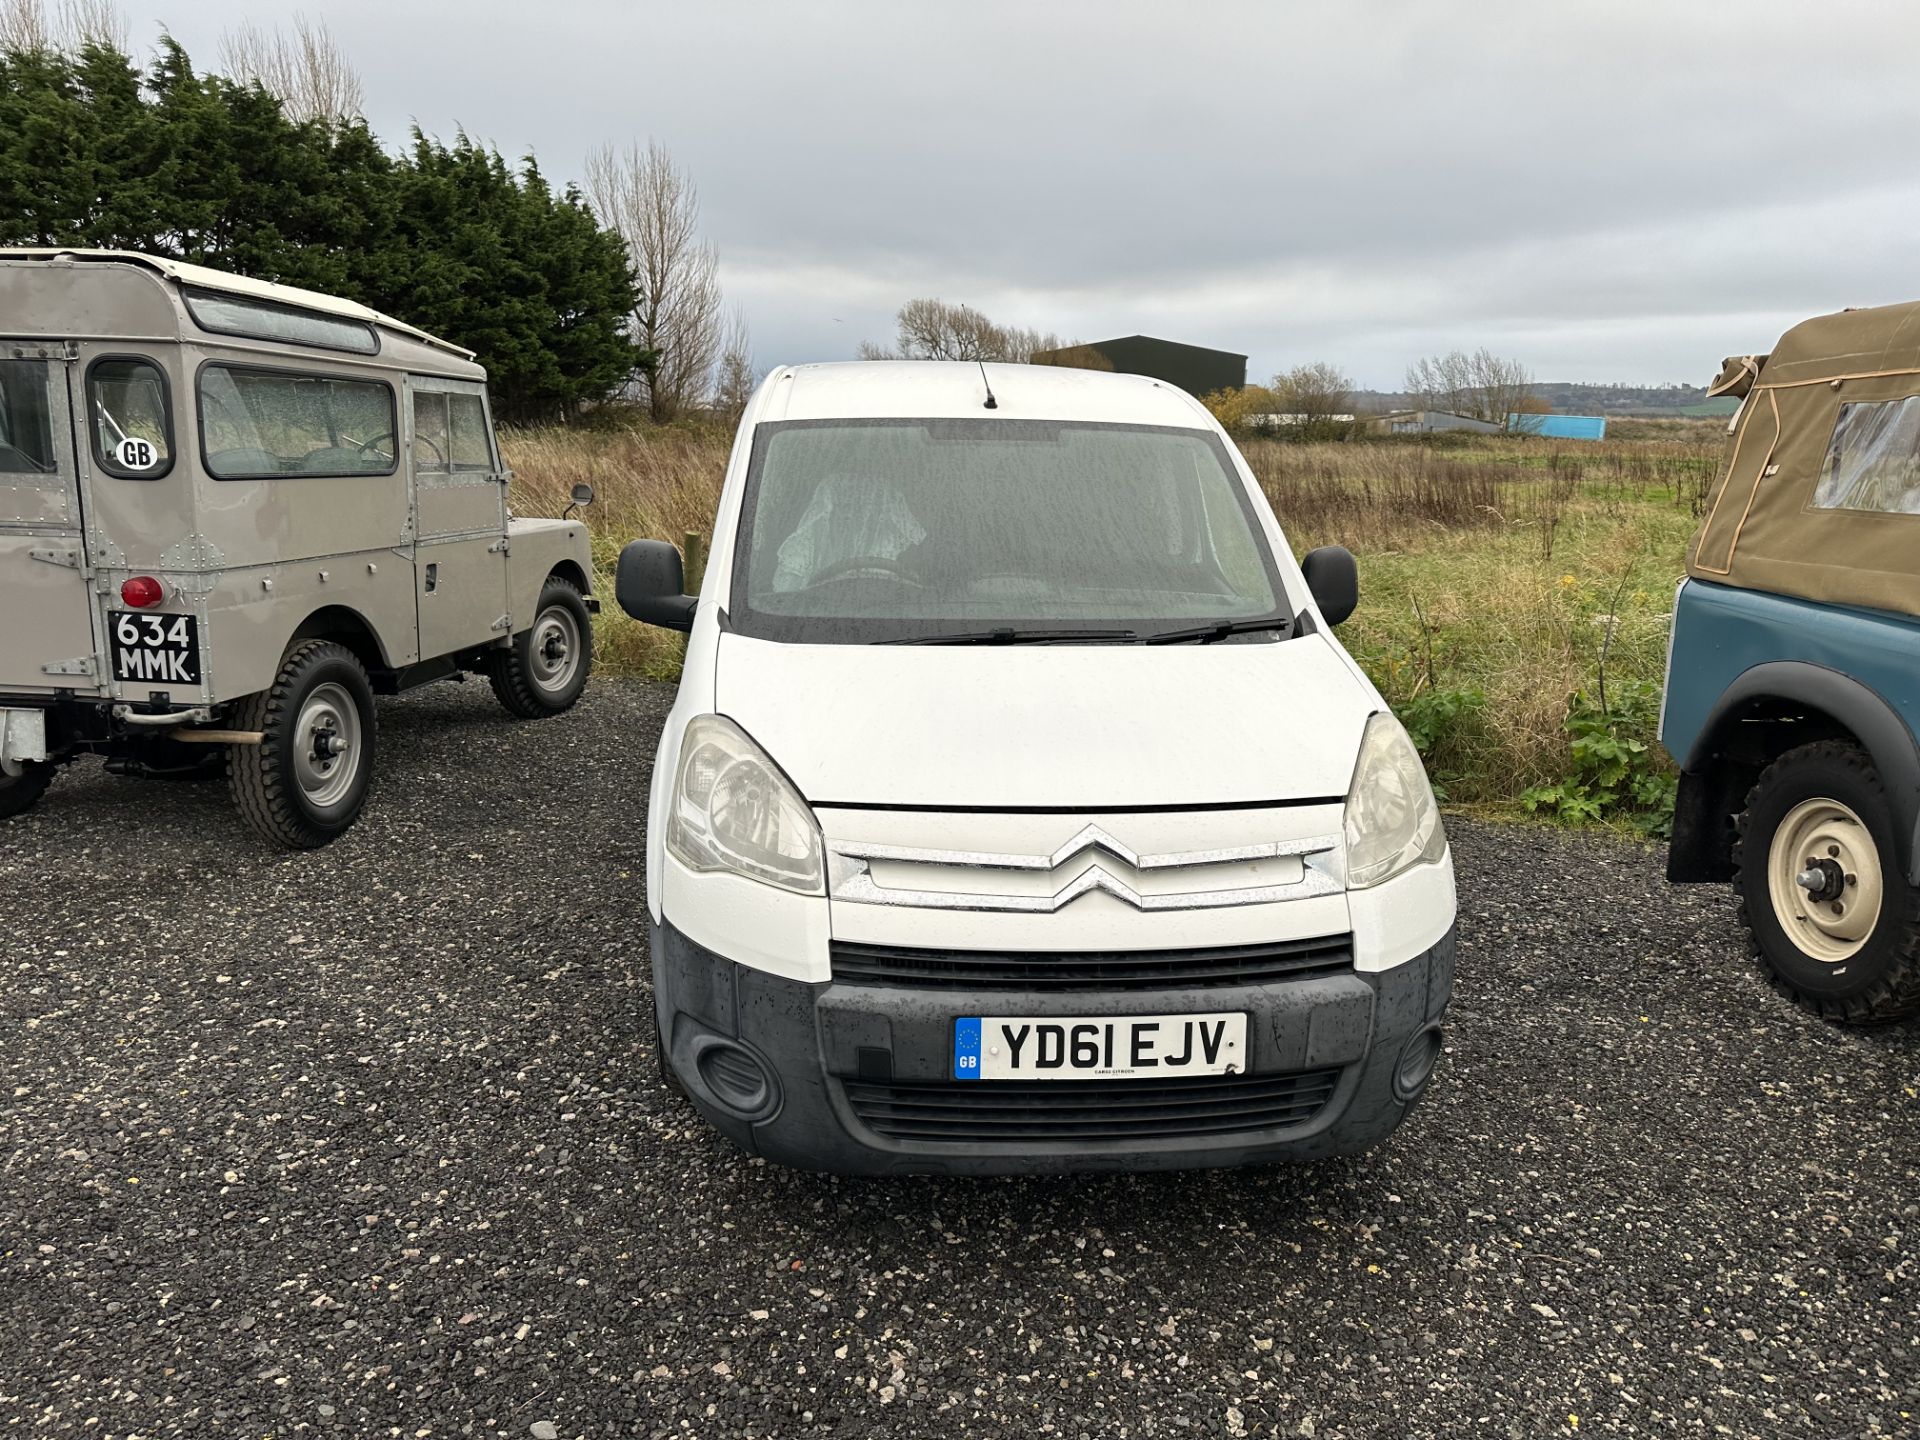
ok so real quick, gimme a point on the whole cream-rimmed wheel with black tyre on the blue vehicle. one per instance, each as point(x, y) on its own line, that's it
point(1833, 917)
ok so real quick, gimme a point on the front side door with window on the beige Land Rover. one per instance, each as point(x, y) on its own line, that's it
point(460, 516)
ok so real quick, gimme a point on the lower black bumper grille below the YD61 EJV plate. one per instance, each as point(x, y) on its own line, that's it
point(1007, 1113)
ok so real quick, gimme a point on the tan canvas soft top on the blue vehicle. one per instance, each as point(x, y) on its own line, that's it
point(1771, 521)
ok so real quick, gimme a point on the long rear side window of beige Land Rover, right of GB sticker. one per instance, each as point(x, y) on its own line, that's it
point(272, 423)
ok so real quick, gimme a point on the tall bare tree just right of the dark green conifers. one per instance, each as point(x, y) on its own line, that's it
point(654, 206)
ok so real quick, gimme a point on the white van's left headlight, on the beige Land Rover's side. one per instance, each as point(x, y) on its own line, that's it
point(736, 811)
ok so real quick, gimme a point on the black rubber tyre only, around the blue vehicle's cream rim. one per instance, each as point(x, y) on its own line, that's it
point(1881, 980)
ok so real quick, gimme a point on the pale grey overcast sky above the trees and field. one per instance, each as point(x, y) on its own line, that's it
point(1606, 193)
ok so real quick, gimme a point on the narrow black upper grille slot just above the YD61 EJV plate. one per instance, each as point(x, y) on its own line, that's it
point(1099, 971)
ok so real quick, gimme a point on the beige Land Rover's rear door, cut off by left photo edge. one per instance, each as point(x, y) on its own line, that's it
point(47, 613)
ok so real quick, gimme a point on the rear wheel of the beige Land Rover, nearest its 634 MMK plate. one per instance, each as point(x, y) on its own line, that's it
point(308, 779)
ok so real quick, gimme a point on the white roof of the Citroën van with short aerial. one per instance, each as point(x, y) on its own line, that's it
point(959, 389)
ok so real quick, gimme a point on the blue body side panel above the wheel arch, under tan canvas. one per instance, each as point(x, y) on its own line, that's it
point(1723, 633)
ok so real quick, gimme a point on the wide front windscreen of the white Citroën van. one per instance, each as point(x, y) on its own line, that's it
point(884, 531)
